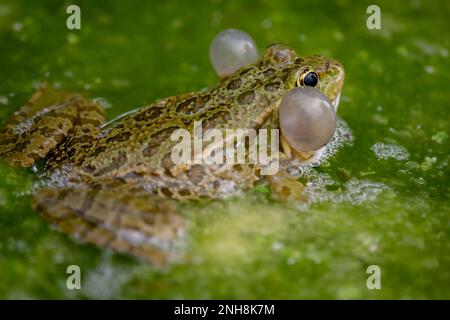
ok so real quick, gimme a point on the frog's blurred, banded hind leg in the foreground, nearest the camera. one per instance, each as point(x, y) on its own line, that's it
point(135, 222)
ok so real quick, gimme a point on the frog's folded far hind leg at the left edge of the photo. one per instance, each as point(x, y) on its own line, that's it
point(44, 122)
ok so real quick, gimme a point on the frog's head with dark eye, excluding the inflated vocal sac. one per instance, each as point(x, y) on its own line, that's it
point(326, 75)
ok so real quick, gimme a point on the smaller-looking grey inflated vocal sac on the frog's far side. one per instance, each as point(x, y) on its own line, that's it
point(230, 50)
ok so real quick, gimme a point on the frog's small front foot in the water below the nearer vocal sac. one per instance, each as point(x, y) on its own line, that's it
point(287, 188)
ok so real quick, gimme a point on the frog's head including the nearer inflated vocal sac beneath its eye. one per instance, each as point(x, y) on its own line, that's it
point(305, 126)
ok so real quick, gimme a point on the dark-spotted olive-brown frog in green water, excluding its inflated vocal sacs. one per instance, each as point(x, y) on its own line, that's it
point(114, 184)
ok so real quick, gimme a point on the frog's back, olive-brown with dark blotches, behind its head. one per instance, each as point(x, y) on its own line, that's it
point(142, 140)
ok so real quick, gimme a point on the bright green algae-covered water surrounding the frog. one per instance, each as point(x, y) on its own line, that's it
point(393, 213)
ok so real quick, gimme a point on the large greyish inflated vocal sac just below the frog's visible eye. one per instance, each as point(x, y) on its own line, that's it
point(307, 119)
